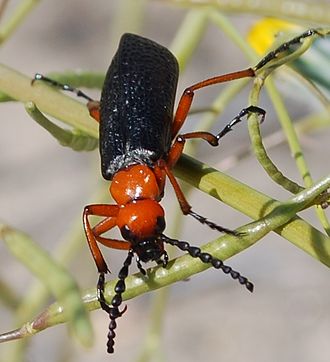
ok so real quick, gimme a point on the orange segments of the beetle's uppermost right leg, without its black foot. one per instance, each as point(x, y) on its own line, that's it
point(188, 95)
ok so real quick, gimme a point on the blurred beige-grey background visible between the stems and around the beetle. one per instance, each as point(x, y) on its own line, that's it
point(44, 188)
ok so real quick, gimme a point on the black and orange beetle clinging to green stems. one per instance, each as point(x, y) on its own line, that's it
point(140, 143)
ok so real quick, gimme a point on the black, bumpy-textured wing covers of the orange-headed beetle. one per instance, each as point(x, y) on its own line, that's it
point(137, 104)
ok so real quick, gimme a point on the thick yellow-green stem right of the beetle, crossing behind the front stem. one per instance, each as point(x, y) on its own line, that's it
point(254, 204)
